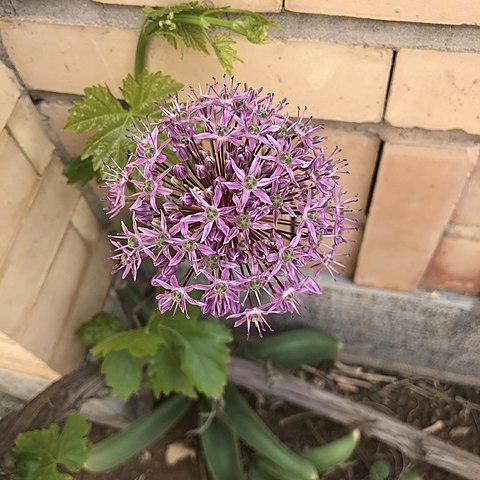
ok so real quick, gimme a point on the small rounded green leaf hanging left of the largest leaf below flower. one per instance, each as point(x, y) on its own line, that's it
point(123, 373)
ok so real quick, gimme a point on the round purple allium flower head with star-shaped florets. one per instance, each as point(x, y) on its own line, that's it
point(244, 197)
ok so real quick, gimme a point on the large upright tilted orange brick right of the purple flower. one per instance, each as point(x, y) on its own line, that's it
point(414, 197)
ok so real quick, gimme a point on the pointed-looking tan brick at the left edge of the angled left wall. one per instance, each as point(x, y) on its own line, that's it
point(18, 183)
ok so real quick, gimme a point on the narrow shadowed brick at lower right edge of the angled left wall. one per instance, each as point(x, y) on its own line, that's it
point(68, 352)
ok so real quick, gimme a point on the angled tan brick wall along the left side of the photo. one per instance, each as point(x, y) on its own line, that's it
point(54, 271)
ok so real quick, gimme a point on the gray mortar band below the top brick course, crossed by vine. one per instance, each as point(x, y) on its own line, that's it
point(377, 33)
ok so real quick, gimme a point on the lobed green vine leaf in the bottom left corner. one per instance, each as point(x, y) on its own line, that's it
point(39, 452)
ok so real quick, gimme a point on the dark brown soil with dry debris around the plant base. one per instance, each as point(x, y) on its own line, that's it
point(451, 412)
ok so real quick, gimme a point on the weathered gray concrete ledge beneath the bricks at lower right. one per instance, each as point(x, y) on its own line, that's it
point(423, 333)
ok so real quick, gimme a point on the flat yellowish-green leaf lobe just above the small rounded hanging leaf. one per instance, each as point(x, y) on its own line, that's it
point(139, 343)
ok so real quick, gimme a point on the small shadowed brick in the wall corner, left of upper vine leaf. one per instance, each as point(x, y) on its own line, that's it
point(56, 113)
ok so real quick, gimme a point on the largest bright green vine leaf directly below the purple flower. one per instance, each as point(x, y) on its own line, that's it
point(203, 350)
